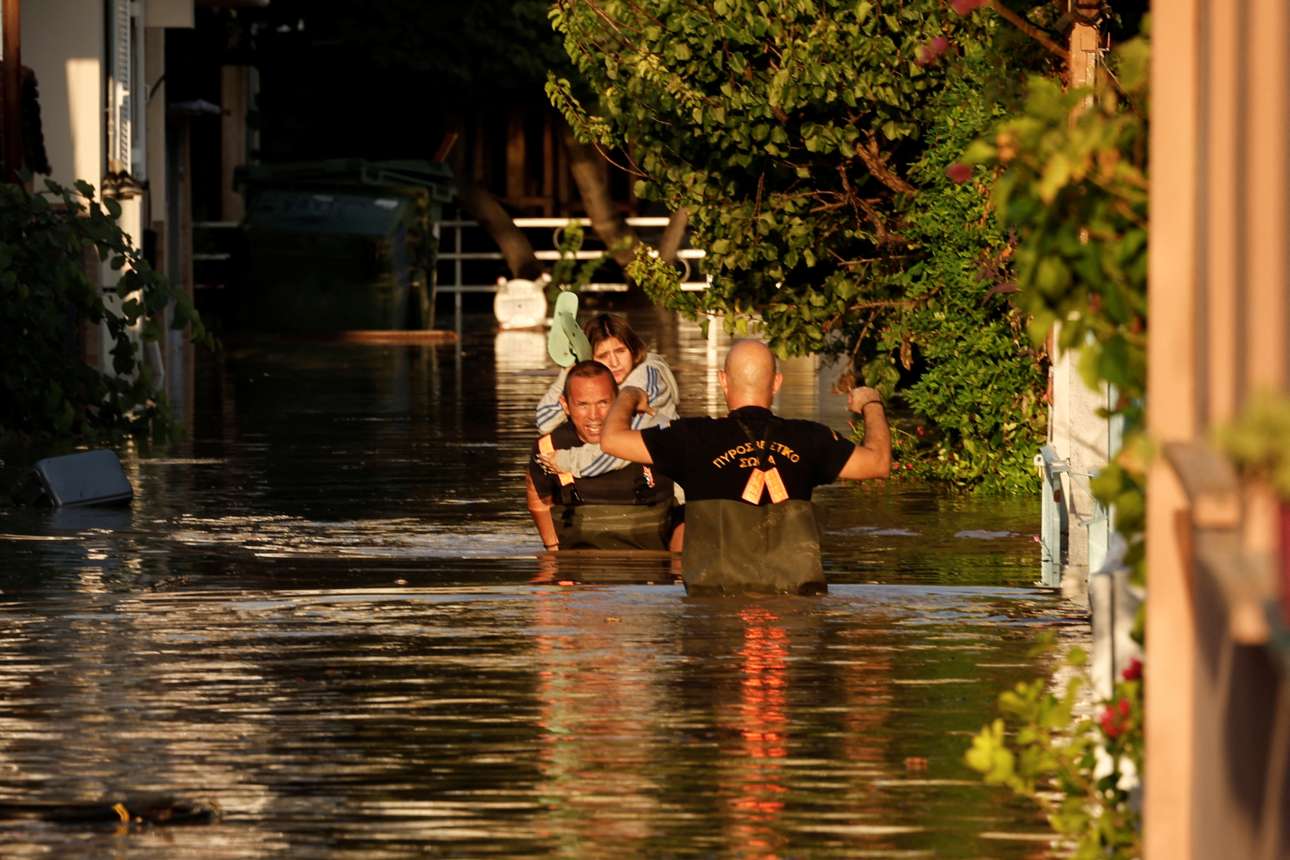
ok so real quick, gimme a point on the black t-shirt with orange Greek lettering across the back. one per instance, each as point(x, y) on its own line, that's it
point(711, 458)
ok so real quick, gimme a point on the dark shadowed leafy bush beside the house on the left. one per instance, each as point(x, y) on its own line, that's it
point(47, 390)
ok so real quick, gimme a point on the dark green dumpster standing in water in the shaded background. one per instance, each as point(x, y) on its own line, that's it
point(341, 246)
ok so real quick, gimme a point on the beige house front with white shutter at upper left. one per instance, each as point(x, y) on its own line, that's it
point(100, 68)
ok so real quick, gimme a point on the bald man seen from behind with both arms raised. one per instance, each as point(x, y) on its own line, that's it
point(749, 478)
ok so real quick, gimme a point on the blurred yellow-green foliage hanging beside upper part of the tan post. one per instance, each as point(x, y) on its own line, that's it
point(1073, 188)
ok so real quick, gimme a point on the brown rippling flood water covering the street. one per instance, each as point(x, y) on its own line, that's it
point(327, 612)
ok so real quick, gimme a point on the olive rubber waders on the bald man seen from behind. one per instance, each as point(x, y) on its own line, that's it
point(733, 547)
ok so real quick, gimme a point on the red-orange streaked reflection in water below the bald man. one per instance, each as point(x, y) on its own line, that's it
point(739, 681)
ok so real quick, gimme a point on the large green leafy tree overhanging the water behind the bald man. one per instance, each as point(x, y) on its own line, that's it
point(809, 148)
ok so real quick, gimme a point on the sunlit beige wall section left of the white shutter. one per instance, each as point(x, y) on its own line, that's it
point(63, 42)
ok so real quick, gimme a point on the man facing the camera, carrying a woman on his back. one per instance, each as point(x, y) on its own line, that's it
point(622, 510)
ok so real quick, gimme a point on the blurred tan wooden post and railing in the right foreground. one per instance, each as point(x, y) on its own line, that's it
point(1218, 706)
